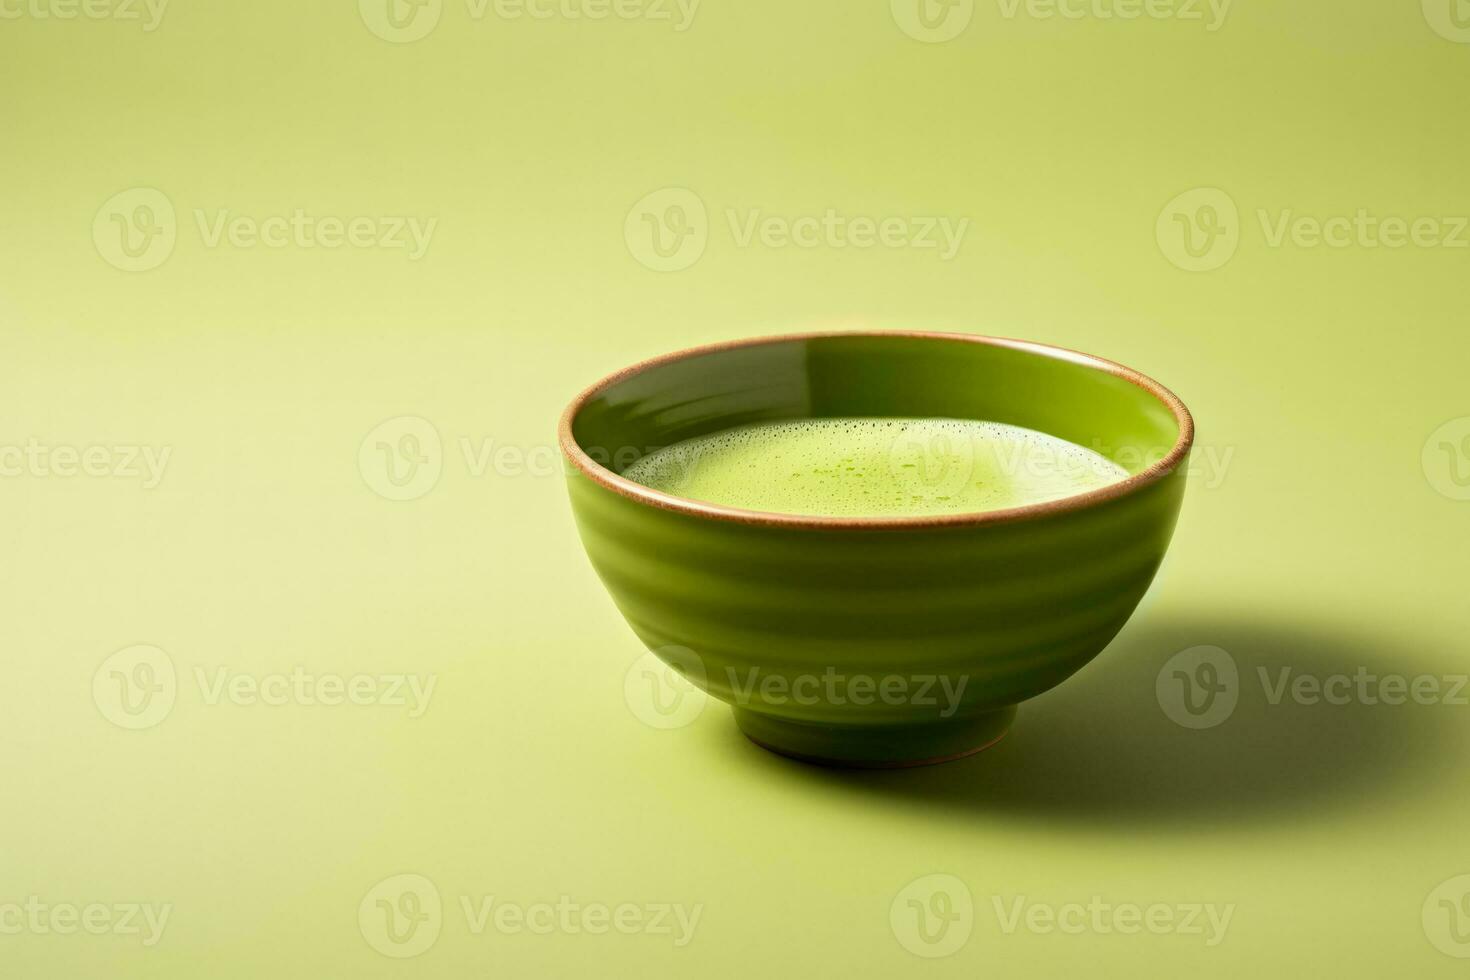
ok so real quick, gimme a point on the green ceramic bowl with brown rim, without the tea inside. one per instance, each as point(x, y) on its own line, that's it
point(889, 641)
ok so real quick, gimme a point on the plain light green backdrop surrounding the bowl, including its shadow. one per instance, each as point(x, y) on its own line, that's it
point(1316, 375)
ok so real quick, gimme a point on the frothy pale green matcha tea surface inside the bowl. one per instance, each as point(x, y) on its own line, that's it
point(875, 468)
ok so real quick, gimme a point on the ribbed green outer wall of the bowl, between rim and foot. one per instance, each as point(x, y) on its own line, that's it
point(1011, 608)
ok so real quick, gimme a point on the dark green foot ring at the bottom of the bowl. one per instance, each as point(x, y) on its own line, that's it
point(874, 746)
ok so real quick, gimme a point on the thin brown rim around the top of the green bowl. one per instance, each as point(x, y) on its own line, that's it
point(605, 477)
